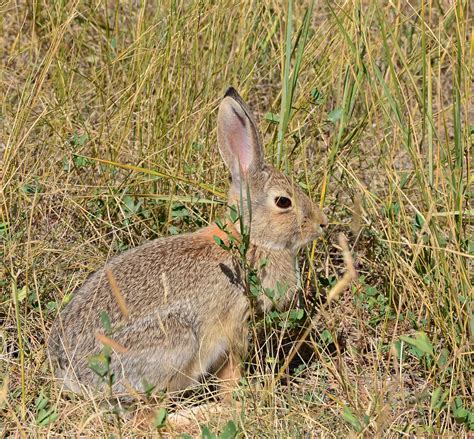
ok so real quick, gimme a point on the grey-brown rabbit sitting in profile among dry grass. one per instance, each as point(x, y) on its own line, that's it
point(187, 306)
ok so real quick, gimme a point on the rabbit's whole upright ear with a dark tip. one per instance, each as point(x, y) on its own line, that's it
point(237, 134)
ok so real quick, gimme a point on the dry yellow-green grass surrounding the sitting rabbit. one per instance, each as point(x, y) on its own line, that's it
point(107, 139)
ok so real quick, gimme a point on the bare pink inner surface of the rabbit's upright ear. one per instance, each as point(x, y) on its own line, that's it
point(240, 143)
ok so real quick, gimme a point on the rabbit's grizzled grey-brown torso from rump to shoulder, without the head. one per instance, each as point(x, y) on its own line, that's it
point(184, 295)
